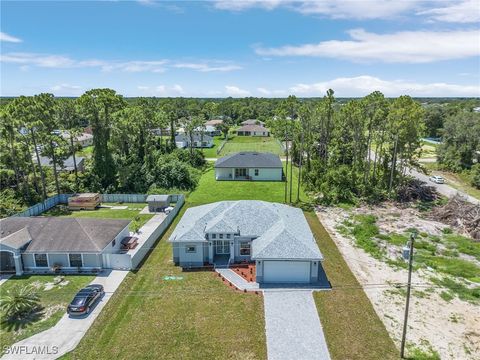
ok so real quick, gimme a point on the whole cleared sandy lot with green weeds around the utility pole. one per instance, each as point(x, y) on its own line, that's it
point(444, 319)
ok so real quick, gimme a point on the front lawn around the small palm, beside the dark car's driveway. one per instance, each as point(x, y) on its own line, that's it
point(53, 304)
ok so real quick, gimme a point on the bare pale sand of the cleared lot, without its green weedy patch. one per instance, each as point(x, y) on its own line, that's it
point(450, 328)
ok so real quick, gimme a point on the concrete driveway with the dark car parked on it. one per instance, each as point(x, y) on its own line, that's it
point(68, 332)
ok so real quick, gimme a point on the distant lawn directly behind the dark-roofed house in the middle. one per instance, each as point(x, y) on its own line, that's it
point(252, 143)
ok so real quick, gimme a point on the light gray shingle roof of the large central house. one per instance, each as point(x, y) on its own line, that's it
point(280, 231)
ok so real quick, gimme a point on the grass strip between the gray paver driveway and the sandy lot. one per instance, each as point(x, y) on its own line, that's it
point(352, 328)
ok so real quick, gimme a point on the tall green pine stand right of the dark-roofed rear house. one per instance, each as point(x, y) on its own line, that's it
point(359, 149)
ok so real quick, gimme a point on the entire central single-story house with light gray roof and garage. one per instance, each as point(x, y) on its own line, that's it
point(276, 236)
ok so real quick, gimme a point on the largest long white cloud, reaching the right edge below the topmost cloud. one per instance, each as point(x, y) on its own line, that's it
point(404, 46)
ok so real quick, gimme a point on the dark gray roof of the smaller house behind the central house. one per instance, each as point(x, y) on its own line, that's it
point(249, 159)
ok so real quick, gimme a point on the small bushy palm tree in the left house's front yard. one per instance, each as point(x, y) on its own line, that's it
point(19, 301)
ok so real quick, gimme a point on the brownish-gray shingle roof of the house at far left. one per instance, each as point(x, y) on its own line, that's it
point(63, 234)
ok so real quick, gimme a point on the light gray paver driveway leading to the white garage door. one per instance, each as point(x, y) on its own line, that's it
point(293, 326)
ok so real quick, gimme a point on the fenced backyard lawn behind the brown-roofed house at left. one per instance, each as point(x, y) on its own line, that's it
point(130, 213)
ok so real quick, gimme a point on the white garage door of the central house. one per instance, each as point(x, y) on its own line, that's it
point(286, 271)
